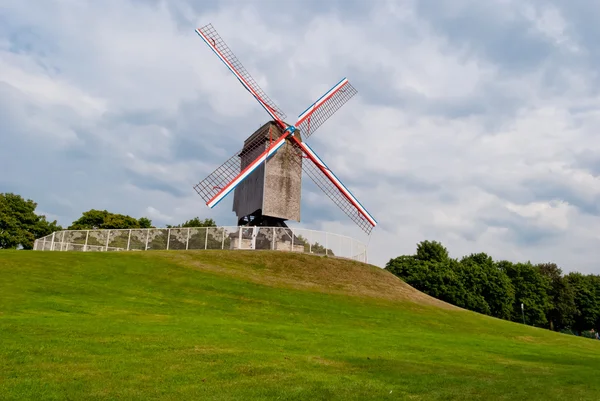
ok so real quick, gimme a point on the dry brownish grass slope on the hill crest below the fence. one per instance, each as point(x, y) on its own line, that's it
point(305, 272)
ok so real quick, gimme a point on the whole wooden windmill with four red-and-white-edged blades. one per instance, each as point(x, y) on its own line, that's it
point(265, 174)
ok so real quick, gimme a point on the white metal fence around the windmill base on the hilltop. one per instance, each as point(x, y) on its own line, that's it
point(265, 238)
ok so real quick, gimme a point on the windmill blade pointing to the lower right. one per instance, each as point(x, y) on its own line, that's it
point(318, 171)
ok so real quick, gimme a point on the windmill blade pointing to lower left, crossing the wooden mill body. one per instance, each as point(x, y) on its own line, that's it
point(230, 174)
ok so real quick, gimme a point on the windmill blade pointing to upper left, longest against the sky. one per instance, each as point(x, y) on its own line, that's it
point(214, 41)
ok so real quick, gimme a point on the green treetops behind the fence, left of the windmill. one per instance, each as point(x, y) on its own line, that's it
point(20, 225)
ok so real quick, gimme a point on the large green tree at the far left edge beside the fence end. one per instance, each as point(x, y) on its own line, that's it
point(19, 225)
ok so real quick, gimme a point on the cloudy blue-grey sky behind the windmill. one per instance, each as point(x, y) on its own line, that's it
point(475, 123)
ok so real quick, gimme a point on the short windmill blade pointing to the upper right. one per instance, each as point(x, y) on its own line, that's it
point(318, 112)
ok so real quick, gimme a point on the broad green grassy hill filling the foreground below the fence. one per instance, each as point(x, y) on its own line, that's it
point(261, 325)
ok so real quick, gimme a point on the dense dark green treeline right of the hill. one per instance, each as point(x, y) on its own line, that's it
point(539, 295)
